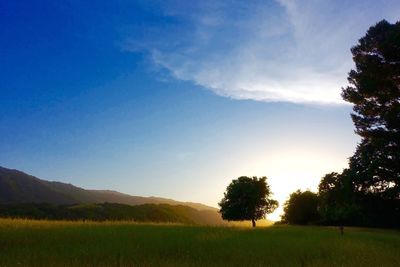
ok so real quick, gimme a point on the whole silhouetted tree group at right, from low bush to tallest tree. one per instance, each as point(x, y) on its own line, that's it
point(367, 193)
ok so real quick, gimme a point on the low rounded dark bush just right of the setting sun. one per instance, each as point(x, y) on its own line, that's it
point(301, 208)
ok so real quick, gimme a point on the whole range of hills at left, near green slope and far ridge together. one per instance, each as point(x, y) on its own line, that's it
point(26, 196)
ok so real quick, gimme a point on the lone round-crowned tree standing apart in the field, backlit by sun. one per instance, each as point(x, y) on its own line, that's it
point(247, 199)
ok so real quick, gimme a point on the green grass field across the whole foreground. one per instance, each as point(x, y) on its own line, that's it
point(35, 243)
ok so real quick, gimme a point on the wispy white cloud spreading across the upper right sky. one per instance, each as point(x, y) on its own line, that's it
point(283, 50)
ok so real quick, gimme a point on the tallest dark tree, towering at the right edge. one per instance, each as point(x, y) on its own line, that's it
point(375, 92)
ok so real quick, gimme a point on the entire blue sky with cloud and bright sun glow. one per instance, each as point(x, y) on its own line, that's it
point(177, 98)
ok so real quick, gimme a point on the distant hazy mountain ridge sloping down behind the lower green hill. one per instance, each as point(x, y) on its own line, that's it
point(19, 187)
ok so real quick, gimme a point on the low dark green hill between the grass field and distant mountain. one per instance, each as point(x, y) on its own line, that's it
point(111, 212)
